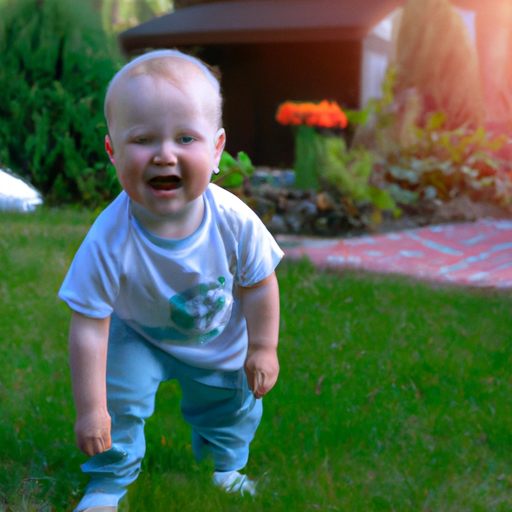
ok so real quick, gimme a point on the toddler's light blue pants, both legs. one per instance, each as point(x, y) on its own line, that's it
point(219, 406)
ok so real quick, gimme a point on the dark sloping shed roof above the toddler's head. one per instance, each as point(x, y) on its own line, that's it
point(260, 21)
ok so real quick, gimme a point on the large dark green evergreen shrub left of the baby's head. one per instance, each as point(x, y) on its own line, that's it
point(55, 65)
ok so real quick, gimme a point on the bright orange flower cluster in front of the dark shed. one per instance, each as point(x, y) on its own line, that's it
point(325, 115)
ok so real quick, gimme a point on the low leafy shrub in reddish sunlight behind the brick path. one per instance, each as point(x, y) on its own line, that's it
point(444, 164)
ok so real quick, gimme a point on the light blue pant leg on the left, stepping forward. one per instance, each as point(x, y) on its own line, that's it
point(135, 369)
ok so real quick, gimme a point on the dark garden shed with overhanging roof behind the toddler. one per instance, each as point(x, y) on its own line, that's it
point(270, 51)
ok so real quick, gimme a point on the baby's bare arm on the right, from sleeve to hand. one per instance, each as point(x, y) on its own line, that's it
point(260, 305)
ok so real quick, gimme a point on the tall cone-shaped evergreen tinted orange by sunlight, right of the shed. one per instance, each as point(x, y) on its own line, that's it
point(436, 61)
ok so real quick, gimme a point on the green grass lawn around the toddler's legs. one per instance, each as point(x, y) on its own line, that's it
point(393, 395)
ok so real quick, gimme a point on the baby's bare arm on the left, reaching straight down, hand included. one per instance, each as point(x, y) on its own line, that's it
point(88, 342)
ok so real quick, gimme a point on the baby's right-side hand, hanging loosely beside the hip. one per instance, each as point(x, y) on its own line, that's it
point(262, 369)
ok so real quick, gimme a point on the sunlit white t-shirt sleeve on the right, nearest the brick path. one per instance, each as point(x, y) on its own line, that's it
point(258, 252)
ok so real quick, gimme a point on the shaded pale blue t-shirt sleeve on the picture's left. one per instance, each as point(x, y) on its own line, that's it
point(92, 282)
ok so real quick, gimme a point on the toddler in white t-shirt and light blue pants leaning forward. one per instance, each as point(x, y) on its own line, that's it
point(175, 280)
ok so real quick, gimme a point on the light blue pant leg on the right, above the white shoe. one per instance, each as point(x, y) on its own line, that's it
point(223, 414)
